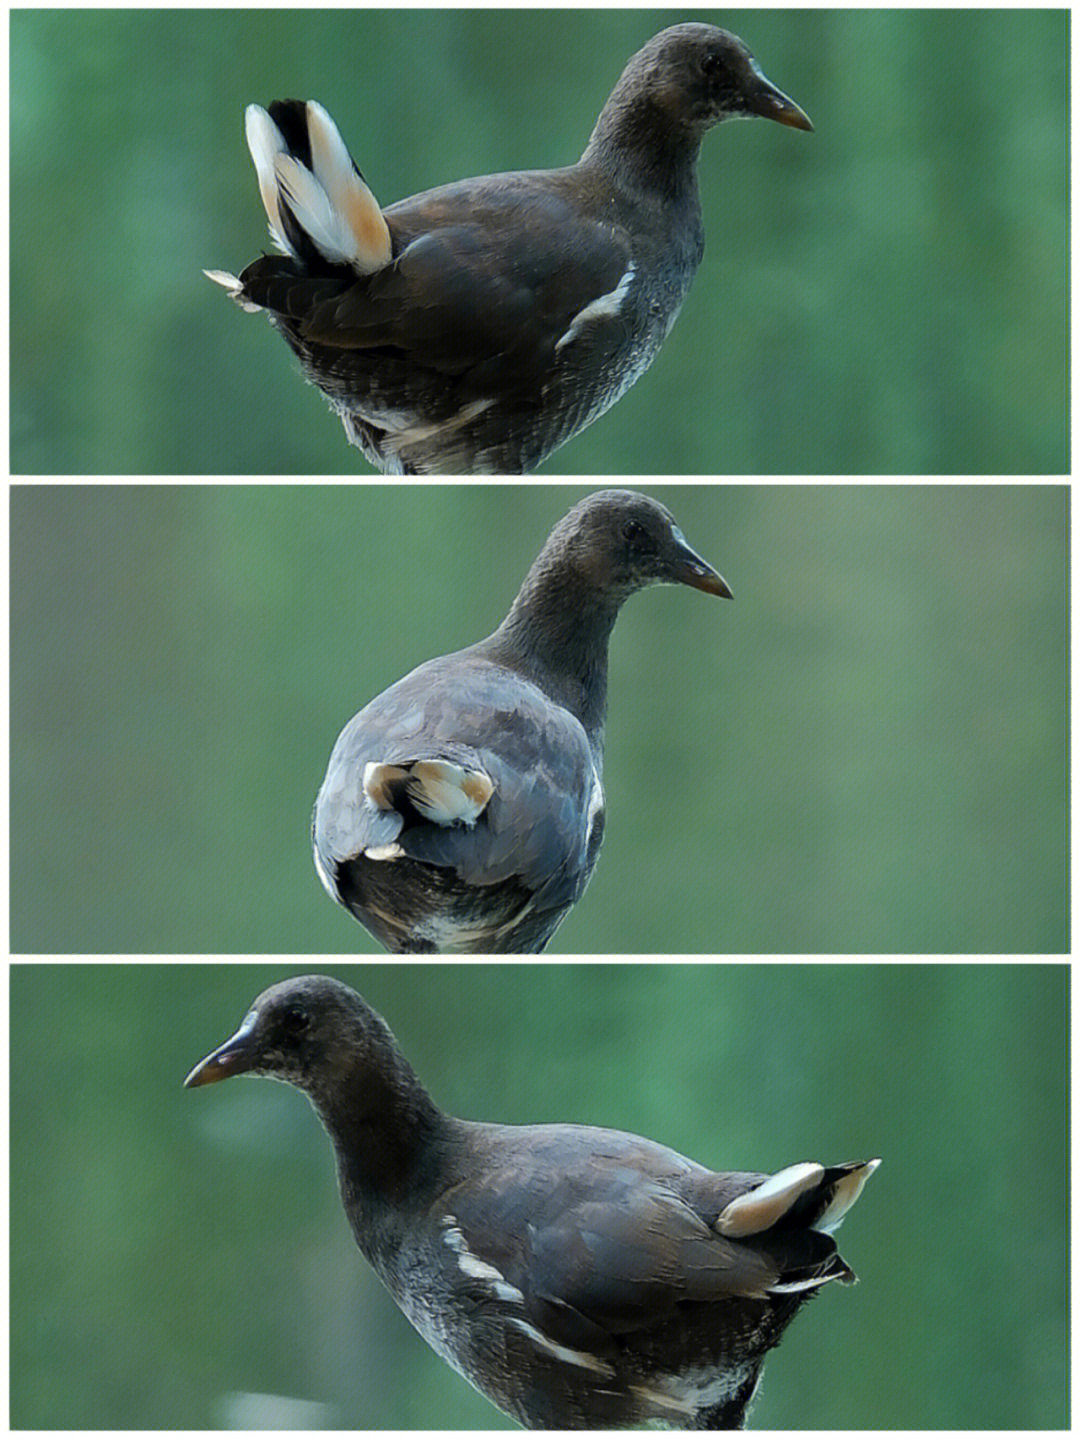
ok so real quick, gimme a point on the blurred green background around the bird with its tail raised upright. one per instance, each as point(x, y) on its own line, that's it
point(884, 297)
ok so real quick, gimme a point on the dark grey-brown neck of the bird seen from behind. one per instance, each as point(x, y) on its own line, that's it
point(562, 645)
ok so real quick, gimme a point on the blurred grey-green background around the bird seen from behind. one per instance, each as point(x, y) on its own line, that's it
point(865, 752)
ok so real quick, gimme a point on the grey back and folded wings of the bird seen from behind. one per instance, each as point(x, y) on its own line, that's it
point(541, 820)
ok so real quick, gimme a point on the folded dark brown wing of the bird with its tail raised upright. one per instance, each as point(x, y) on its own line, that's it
point(490, 280)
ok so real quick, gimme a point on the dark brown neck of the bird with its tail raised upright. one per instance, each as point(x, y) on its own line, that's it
point(642, 150)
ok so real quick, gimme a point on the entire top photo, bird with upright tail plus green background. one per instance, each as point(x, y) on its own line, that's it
point(882, 297)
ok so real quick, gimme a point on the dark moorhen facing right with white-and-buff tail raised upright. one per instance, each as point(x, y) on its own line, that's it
point(477, 327)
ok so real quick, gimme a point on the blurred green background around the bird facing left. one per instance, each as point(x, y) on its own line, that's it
point(176, 1251)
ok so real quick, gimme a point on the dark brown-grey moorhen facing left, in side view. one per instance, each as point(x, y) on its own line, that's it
point(580, 1279)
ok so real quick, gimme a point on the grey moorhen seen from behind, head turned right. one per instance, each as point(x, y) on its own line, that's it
point(462, 809)
